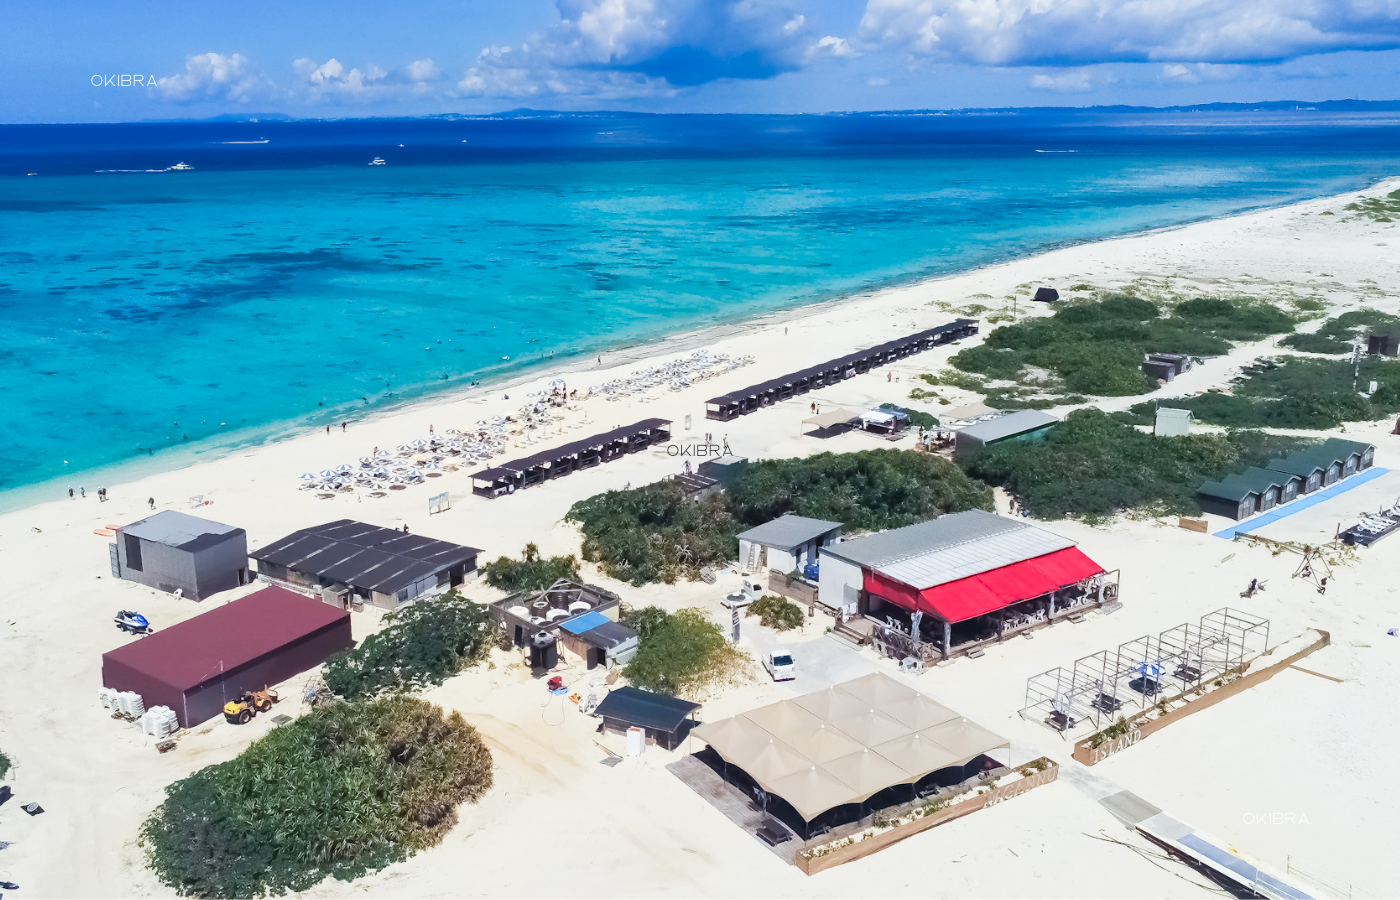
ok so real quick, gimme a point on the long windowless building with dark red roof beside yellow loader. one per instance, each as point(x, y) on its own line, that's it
point(204, 663)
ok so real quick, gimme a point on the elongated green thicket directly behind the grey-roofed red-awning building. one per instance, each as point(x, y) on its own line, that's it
point(654, 534)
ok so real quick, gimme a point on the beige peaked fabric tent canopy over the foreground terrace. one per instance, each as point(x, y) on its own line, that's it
point(846, 744)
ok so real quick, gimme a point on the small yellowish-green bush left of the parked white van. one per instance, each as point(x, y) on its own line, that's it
point(682, 654)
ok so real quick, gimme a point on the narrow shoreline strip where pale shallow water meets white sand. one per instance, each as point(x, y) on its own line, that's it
point(628, 353)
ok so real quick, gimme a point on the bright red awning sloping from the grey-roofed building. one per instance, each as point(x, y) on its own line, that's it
point(978, 596)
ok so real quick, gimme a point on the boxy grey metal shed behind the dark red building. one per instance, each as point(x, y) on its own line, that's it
point(178, 552)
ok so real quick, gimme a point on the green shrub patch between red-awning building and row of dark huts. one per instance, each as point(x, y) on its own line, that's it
point(1094, 467)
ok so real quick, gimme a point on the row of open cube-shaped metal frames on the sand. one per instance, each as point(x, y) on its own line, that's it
point(1140, 673)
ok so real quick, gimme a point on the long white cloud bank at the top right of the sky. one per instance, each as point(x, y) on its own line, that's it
point(1069, 33)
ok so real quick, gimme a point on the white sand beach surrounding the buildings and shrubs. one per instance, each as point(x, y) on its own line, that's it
point(561, 824)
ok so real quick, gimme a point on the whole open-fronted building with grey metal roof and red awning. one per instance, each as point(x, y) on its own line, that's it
point(953, 584)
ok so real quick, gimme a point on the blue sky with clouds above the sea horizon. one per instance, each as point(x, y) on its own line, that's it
point(65, 62)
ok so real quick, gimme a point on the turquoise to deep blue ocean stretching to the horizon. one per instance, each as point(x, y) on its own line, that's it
point(289, 283)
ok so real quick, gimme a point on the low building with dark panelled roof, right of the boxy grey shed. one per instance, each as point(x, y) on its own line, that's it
point(380, 565)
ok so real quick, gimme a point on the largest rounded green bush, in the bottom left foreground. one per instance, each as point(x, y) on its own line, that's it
point(345, 789)
